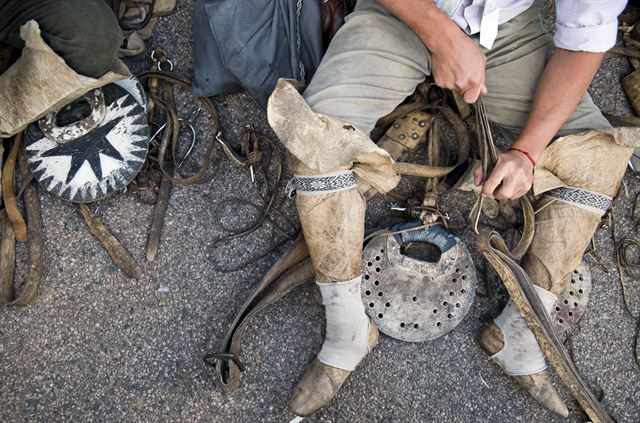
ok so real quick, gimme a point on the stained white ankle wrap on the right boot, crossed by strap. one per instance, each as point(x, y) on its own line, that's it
point(521, 354)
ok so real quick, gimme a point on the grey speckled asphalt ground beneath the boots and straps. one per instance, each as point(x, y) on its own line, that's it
point(96, 346)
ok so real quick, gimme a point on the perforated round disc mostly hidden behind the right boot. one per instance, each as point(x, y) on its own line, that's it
point(572, 304)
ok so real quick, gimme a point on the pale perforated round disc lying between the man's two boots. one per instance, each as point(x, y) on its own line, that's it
point(413, 300)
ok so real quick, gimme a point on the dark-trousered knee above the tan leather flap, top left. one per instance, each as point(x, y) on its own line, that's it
point(85, 33)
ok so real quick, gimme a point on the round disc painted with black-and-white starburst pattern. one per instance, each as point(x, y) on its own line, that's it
point(96, 164)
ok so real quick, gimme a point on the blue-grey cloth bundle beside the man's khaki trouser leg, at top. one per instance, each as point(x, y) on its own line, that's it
point(249, 44)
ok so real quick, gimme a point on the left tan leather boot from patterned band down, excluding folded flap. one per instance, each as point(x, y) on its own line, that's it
point(331, 210)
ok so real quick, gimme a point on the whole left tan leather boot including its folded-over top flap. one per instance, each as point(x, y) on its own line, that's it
point(327, 155)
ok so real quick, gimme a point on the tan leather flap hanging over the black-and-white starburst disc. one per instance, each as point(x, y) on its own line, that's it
point(39, 83)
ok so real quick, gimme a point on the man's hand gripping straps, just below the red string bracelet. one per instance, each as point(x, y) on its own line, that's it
point(511, 178)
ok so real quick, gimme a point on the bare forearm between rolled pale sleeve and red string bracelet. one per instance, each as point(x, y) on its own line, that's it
point(561, 87)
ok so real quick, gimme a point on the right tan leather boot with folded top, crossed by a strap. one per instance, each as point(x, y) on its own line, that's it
point(584, 172)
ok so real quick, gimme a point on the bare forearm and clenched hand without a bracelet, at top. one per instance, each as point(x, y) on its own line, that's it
point(456, 61)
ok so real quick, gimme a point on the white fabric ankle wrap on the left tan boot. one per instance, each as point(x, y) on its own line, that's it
point(346, 341)
